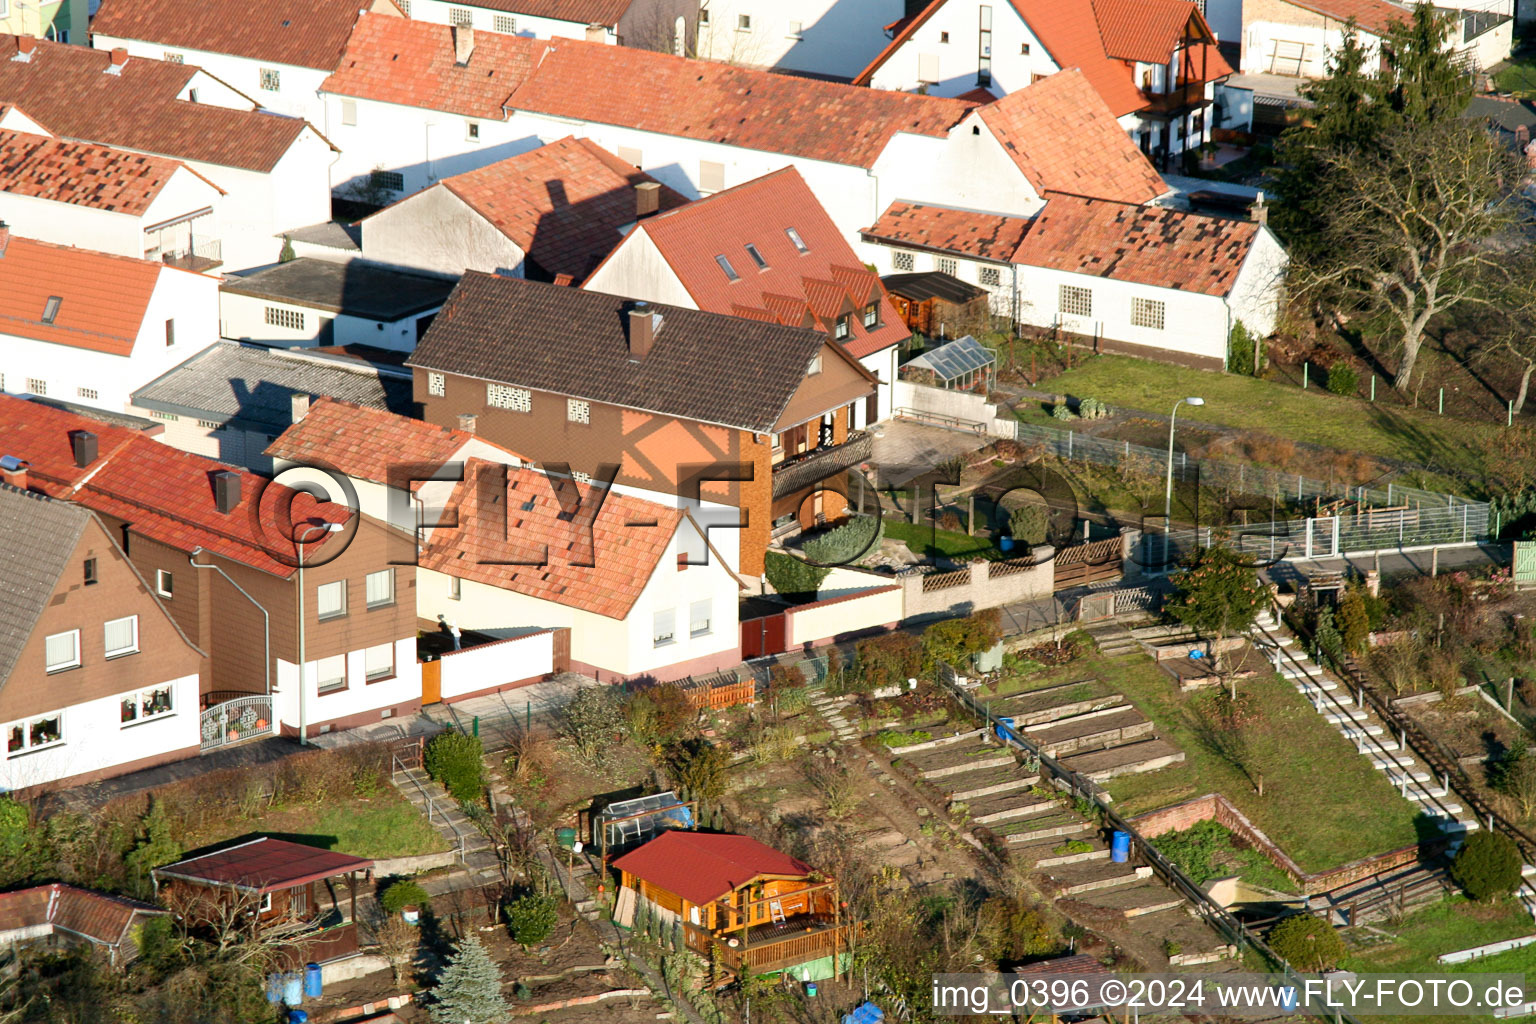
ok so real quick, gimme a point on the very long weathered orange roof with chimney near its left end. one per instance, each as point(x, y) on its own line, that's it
point(412, 64)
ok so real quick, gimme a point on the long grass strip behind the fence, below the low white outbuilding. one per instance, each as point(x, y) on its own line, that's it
point(1443, 443)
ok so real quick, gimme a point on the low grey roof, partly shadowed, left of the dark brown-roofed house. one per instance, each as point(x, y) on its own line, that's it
point(254, 388)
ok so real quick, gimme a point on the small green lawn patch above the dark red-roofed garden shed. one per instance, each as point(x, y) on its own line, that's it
point(380, 827)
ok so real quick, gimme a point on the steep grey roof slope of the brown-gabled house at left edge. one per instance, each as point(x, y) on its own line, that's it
point(38, 541)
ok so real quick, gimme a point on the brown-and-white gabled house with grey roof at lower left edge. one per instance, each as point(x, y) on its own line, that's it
point(96, 678)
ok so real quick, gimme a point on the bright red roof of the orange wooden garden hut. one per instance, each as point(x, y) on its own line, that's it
point(703, 867)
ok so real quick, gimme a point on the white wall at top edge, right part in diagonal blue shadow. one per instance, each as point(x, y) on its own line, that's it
point(836, 38)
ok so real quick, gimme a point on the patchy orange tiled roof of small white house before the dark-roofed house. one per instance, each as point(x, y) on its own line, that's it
point(597, 558)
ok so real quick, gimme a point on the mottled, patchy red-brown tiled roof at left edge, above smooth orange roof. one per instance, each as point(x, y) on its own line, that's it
point(82, 174)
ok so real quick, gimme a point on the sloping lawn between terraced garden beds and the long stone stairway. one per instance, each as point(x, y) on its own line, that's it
point(1356, 814)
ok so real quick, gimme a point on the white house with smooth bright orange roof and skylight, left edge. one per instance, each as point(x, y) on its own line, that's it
point(90, 328)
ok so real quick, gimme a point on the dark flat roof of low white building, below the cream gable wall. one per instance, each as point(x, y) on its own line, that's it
point(357, 289)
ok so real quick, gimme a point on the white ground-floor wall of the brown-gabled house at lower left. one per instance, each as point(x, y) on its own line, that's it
point(96, 739)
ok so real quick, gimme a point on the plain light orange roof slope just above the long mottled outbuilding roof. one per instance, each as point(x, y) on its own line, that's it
point(1064, 140)
